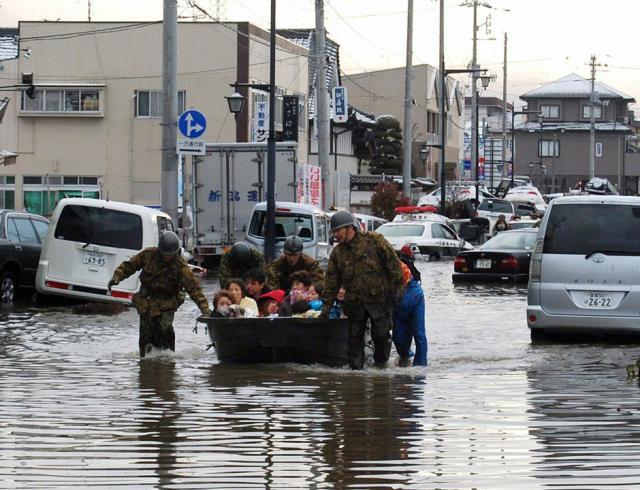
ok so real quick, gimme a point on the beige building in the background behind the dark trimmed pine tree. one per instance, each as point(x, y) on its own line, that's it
point(382, 92)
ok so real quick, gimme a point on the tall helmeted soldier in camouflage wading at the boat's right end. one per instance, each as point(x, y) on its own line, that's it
point(369, 270)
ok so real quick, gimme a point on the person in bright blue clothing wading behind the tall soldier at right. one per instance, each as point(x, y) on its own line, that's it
point(409, 315)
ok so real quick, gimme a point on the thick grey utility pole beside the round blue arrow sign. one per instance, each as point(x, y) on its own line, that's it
point(169, 174)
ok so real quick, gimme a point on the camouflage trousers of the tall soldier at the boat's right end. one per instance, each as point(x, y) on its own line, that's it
point(381, 326)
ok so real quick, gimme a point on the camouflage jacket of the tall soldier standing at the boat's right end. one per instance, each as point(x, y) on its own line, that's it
point(368, 269)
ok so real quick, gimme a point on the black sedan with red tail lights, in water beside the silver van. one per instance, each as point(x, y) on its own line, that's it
point(505, 257)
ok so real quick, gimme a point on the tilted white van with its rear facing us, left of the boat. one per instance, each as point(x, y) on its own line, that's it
point(88, 239)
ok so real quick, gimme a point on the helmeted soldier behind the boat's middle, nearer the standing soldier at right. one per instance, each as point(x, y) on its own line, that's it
point(292, 260)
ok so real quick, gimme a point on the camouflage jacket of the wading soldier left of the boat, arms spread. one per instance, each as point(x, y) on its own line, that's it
point(161, 284)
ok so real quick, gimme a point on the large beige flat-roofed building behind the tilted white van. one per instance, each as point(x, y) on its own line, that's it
point(94, 126)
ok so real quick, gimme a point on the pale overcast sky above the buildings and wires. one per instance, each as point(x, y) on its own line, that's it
point(547, 38)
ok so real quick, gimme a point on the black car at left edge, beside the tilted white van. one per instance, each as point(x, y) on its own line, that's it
point(21, 239)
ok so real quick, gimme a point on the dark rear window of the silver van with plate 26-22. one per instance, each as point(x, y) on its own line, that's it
point(587, 228)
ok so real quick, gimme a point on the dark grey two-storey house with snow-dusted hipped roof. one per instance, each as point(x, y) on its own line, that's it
point(553, 146)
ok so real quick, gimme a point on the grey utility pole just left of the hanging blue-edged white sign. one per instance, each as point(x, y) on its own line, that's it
point(322, 106)
